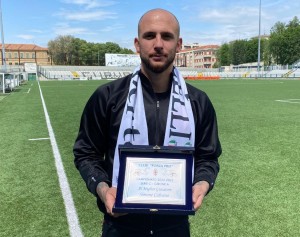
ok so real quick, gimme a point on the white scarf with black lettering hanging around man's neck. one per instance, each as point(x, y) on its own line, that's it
point(180, 127)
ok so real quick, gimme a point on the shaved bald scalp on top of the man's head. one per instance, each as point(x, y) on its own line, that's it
point(159, 14)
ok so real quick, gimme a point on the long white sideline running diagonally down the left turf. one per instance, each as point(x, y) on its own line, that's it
point(74, 226)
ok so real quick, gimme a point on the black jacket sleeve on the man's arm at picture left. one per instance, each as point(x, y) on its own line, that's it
point(89, 148)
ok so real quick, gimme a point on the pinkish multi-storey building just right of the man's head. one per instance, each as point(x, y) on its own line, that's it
point(200, 57)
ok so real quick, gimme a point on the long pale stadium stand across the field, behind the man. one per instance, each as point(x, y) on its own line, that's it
point(109, 72)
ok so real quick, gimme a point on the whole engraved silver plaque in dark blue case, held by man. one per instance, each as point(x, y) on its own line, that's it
point(155, 180)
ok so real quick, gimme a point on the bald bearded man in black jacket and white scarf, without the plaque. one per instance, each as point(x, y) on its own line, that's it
point(148, 93)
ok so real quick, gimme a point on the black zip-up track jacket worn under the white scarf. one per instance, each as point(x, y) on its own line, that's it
point(95, 145)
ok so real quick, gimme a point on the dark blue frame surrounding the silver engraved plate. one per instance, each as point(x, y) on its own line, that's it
point(167, 152)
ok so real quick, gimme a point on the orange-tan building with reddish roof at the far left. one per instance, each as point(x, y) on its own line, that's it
point(18, 54)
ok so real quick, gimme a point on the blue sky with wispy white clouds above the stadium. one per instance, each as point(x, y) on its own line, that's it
point(99, 21)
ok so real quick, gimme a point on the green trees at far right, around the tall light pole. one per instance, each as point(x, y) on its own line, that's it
point(282, 47)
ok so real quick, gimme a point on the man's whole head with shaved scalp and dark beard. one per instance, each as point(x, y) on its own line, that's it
point(158, 41)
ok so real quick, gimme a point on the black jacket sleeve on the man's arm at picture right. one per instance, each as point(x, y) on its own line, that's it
point(207, 144)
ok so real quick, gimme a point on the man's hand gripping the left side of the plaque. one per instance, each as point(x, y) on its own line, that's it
point(108, 197)
